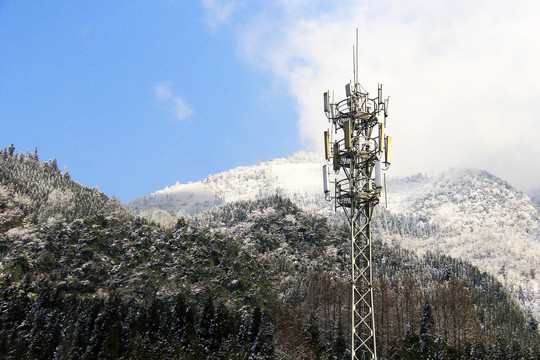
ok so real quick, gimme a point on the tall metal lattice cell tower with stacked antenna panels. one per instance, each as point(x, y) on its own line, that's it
point(358, 150)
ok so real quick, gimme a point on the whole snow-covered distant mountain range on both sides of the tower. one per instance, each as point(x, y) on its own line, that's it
point(466, 214)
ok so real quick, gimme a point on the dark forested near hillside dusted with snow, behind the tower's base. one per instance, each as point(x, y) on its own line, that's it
point(81, 277)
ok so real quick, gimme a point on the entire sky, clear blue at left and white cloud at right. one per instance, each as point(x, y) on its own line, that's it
point(132, 96)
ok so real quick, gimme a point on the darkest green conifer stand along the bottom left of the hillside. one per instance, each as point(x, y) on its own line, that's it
point(56, 326)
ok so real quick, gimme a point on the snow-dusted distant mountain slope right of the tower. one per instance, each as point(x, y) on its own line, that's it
point(473, 215)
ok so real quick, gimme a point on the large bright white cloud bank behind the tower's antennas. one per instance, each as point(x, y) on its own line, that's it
point(462, 75)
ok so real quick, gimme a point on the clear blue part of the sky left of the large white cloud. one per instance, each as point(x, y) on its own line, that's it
point(133, 96)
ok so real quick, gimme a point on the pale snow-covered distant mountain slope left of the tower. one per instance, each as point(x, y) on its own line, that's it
point(298, 177)
